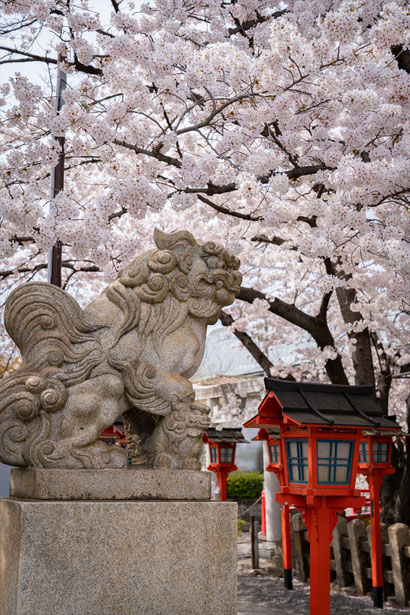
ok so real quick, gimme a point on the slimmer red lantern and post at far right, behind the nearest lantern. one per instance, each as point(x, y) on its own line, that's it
point(375, 463)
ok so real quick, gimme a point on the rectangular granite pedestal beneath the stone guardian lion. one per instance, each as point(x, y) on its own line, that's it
point(131, 556)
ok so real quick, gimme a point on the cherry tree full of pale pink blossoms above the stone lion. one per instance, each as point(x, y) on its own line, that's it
point(281, 130)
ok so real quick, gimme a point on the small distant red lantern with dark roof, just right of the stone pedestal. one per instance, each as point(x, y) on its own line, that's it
point(222, 447)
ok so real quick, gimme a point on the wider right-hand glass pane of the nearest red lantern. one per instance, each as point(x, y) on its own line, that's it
point(334, 461)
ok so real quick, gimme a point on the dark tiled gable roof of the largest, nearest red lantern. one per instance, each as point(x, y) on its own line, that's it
point(325, 404)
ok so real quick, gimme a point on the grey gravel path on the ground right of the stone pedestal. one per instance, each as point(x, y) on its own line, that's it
point(260, 593)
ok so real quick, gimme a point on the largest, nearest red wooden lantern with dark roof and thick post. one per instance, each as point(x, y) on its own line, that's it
point(320, 433)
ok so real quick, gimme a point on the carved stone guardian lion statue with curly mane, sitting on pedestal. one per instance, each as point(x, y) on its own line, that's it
point(130, 352)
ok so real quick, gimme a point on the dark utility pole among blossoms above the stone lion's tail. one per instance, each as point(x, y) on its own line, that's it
point(57, 179)
